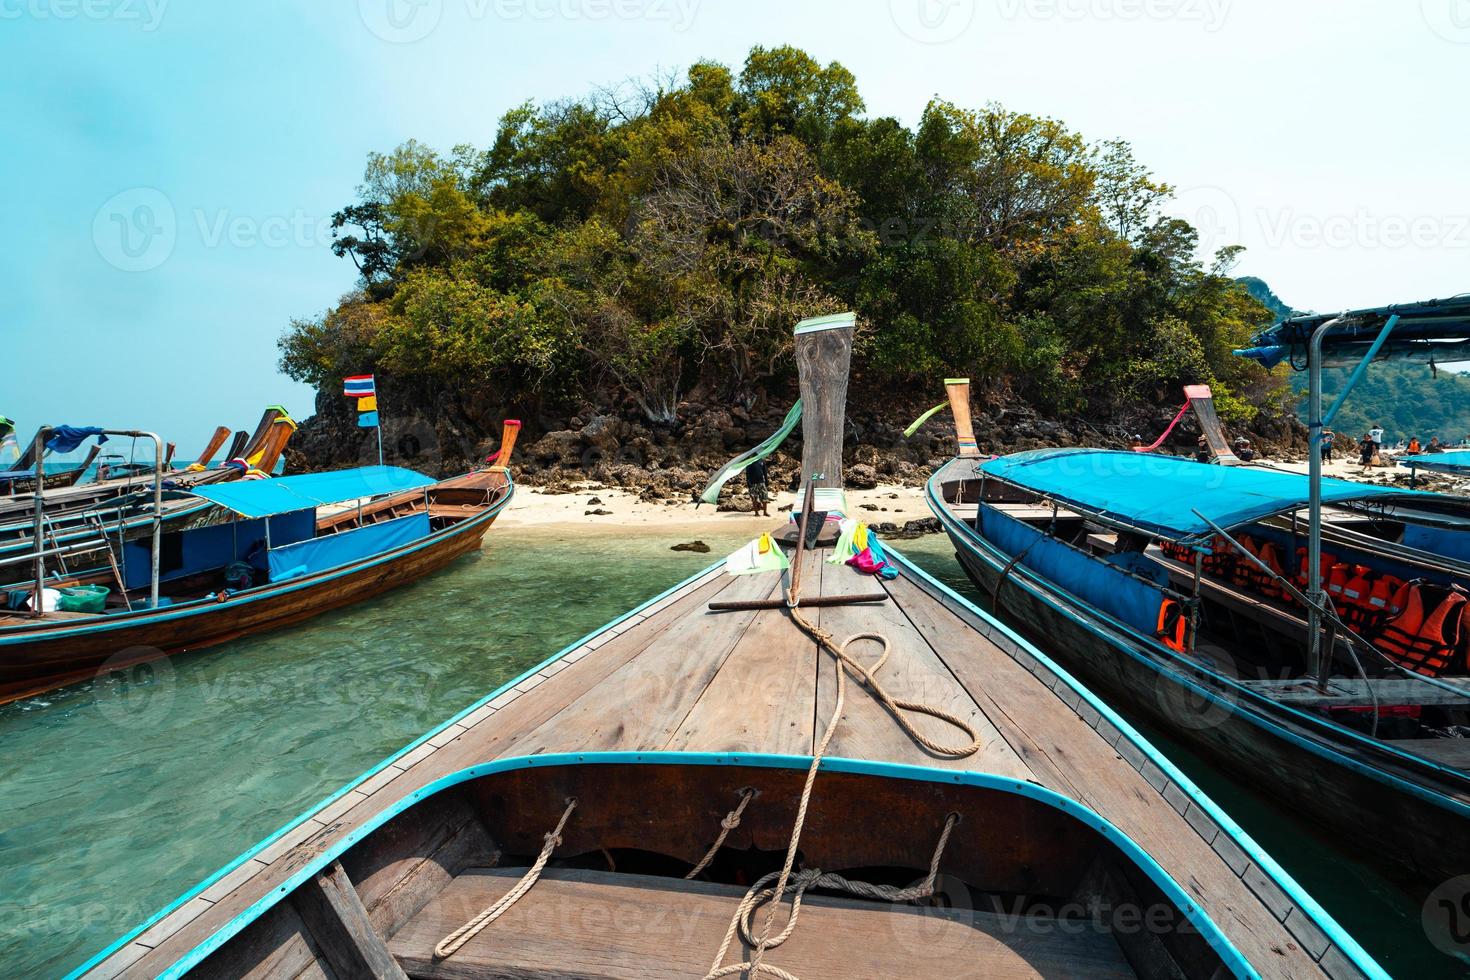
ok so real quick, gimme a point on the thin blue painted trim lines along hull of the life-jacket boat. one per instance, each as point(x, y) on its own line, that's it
point(1244, 697)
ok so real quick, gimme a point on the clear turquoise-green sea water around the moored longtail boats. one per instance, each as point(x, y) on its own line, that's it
point(118, 796)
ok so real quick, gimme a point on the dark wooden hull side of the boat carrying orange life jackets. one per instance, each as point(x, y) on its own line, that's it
point(1349, 803)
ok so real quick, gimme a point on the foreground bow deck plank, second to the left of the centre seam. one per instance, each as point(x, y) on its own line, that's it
point(643, 705)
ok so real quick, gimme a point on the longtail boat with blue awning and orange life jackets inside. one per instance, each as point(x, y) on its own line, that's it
point(1177, 590)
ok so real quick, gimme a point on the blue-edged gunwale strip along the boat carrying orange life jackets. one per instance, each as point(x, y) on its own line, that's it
point(1168, 662)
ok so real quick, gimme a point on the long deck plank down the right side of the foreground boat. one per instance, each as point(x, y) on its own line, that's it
point(1081, 765)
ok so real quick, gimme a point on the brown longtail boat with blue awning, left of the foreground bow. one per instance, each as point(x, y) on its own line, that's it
point(287, 558)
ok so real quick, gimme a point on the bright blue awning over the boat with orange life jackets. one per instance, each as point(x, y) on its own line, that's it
point(1161, 494)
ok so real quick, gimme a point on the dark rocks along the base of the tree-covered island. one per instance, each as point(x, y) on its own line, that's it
point(618, 447)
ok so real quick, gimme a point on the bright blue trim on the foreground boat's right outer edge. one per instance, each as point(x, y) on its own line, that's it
point(1277, 873)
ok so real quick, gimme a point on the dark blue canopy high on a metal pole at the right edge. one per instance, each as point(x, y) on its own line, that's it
point(1434, 331)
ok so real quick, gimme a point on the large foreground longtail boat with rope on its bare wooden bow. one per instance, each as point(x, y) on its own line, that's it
point(624, 809)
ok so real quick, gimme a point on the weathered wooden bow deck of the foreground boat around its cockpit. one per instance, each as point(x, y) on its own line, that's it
point(677, 677)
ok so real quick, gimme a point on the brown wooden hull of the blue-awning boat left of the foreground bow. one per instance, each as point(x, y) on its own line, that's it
point(51, 656)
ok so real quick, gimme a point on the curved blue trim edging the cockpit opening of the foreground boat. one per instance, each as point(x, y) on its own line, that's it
point(1197, 918)
